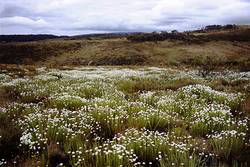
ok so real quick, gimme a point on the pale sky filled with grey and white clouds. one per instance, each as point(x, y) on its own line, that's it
point(74, 17)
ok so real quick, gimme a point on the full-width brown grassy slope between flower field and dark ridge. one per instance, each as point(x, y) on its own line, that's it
point(120, 51)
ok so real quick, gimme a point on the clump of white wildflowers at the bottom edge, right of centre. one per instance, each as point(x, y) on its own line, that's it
point(143, 148)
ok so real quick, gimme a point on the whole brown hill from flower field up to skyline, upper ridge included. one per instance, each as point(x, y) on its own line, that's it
point(229, 48)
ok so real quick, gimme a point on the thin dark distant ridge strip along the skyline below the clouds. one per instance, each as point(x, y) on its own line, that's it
point(231, 31)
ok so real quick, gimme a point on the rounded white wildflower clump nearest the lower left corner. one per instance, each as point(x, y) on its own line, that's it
point(53, 125)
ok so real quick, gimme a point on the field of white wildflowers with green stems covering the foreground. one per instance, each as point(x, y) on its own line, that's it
point(114, 117)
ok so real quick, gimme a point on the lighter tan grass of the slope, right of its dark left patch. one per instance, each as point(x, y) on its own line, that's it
point(166, 53)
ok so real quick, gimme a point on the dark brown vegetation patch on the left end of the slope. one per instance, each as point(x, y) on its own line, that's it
point(26, 53)
